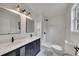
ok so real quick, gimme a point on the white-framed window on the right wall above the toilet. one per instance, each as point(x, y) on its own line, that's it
point(75, 18)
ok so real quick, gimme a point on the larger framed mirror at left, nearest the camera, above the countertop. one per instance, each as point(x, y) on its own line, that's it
point(9, 22)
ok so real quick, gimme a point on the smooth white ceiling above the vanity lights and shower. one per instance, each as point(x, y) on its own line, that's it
point(46, 9)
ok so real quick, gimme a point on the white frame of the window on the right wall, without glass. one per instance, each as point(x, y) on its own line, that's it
point(74, 18)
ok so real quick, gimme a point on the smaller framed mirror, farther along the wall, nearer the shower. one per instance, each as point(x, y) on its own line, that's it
point(29, 26)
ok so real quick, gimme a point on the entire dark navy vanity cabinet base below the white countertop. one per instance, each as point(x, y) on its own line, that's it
point(30, 49)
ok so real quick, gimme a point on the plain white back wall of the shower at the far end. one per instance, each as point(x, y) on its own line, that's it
point(56, 30)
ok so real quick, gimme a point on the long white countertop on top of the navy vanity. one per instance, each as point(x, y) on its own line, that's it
point(7, 47)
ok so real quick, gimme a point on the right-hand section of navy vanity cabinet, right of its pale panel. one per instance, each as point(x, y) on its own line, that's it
point(32, 48)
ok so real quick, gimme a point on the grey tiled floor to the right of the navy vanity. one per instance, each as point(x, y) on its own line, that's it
point(49, 52)
